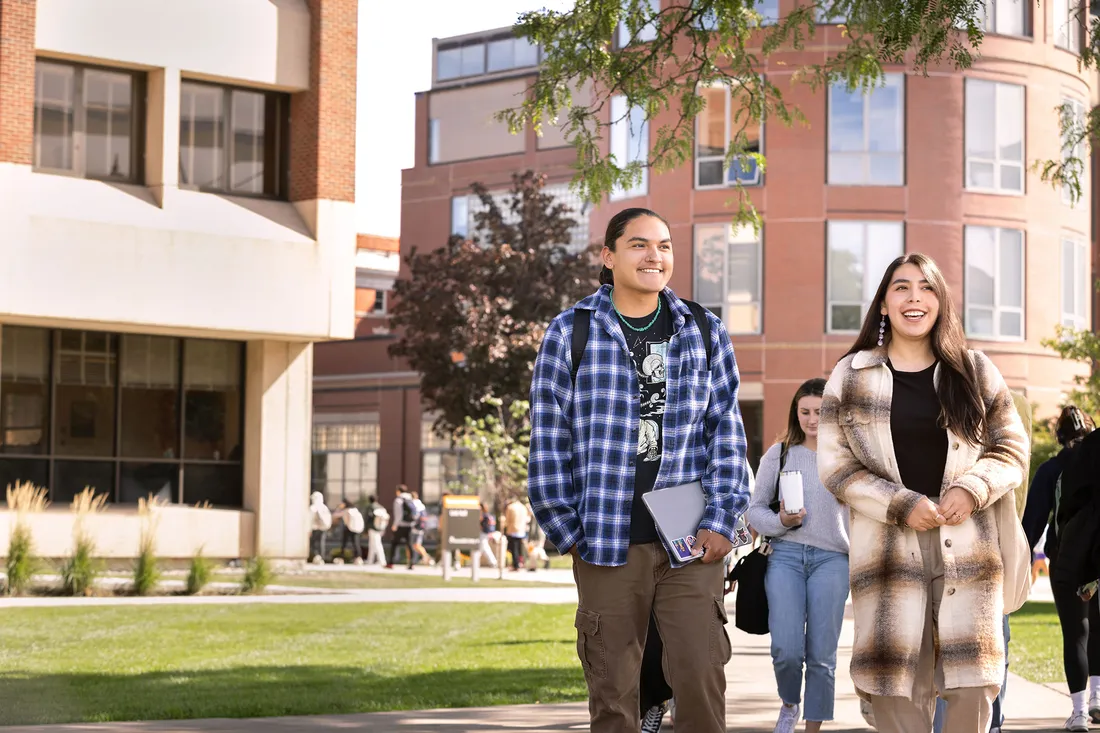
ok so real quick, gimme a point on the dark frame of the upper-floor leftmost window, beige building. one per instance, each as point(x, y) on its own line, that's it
point(79, 148)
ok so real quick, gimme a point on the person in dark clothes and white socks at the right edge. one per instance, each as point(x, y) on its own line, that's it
point(1080, 618)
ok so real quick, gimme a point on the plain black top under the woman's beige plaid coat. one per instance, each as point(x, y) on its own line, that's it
point(920, 442)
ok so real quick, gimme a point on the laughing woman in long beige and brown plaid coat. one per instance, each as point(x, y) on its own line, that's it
point(920, 437)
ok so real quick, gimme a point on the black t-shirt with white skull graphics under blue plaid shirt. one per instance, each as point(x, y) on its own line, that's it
point(648, 349)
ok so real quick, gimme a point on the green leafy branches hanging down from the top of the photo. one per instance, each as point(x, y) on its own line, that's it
point(689, 45)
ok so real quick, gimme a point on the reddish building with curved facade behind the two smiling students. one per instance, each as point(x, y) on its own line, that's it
point(939, 163)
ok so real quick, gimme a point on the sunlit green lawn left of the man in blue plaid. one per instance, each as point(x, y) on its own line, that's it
point(115, 664)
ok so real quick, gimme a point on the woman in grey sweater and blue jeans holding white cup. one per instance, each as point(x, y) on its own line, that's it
point(808, 571)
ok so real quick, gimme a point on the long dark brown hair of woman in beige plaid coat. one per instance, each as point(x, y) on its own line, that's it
point(962, 408)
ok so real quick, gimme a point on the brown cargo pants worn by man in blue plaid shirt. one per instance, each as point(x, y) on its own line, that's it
point(612, 623)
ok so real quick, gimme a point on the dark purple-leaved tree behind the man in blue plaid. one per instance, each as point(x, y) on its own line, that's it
point(474, 313)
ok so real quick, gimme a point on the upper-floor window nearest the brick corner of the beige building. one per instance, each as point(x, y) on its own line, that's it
point(233, 141)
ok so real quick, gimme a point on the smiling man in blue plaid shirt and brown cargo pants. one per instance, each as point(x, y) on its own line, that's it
point(650, 406)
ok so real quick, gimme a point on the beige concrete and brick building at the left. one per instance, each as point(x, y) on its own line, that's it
point(178, 227)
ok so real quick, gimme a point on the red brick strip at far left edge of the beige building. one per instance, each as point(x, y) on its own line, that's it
point(17, 81)
